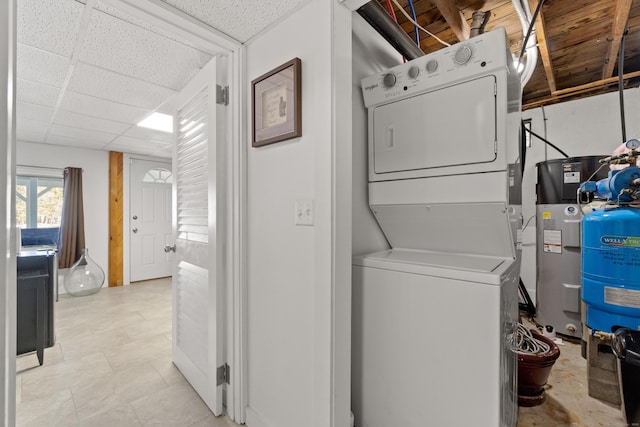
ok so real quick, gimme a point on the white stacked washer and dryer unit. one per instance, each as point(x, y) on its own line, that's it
point(434, 315)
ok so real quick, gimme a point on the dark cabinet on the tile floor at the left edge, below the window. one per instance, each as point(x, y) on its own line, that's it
point(36, 289)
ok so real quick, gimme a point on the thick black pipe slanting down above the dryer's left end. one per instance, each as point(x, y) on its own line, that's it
point(380, 20)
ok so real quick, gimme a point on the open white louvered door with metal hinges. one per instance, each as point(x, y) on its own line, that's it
point(200, 232)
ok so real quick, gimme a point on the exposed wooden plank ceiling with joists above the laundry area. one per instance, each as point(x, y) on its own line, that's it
point(578, 41)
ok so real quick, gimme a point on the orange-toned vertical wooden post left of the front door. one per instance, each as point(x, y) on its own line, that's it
point(116, 270)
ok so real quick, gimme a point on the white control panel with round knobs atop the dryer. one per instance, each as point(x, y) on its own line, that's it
point(482, 53)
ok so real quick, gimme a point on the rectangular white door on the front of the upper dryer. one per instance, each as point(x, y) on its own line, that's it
point(452, 126)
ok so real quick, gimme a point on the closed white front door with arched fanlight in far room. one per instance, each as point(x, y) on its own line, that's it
point(150, 221)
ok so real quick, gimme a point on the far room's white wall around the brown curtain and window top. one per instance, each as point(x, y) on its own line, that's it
point(95, 189)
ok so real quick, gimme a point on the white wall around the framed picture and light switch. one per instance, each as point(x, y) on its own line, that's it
point(293, 278)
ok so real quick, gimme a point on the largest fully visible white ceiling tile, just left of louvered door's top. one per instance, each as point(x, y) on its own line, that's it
point(148, 56)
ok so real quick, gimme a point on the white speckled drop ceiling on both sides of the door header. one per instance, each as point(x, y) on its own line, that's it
point(87, 73)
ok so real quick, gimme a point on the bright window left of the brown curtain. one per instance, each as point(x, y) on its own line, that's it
point(38, 201)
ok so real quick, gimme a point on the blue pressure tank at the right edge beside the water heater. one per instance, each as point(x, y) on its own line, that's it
point(611, 268)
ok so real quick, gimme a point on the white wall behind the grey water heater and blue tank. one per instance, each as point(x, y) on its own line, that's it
point(589, 126)
